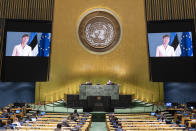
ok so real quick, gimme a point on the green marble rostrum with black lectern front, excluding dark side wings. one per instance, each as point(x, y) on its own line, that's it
point(99, 97)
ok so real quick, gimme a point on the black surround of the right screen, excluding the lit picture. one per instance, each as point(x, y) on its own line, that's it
point(172, 67)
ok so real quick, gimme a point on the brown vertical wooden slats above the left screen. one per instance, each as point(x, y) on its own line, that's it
point(27, 9)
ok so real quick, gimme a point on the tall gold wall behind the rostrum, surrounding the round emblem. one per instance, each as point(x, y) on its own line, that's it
point(72, 65)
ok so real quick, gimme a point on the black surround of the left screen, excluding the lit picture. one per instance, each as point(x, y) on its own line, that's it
point(39, 65)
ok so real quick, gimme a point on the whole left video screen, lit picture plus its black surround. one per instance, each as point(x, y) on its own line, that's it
point(26, 50)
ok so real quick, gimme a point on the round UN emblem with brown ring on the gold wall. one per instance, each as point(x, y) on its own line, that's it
point(99, 31)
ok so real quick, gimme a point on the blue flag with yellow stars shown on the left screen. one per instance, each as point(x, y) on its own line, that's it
point(44, 45)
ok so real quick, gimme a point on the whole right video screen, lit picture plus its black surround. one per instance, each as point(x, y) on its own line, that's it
point(171, 49)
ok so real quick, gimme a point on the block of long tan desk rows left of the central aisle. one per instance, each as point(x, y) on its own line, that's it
point(49, 122)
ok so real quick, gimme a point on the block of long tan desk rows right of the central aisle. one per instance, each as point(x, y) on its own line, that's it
point(138, 122)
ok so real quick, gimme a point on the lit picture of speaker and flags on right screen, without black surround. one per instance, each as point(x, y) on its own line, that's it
point(170, 44)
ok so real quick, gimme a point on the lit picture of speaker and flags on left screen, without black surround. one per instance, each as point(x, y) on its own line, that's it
point(28, 44)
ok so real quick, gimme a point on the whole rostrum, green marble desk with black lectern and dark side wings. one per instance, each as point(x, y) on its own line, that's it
point(98, 98)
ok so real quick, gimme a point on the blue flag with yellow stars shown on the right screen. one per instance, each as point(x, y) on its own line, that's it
point(186, 44)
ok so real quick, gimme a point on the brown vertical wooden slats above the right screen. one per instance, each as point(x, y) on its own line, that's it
point(170, 10)
